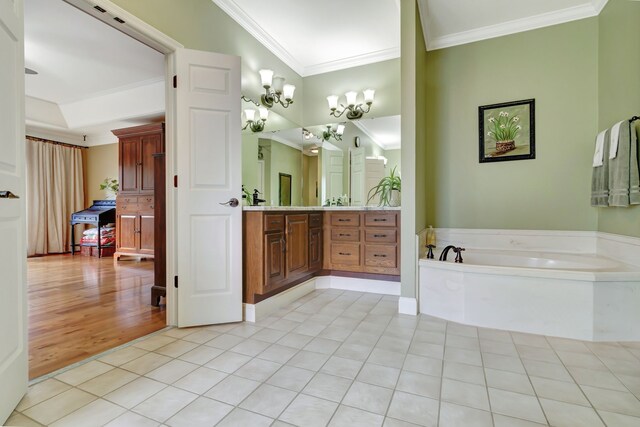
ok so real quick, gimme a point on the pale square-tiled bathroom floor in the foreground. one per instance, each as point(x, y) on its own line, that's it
point(345, 359)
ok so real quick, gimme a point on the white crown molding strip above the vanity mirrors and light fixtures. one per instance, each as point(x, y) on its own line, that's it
point(231, 8)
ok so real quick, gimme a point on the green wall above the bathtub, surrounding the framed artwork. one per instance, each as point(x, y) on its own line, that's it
point(558, 66)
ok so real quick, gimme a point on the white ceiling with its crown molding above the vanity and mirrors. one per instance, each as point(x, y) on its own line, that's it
point(314, 37)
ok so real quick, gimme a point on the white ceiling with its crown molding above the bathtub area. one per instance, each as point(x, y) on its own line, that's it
point(449, 23)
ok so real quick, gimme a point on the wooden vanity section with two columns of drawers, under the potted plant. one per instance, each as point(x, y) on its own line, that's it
point(362, 242)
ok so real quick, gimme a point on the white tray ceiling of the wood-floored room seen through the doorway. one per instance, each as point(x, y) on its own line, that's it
point(91, 77)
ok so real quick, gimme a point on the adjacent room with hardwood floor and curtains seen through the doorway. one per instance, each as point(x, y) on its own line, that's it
point(89, 89)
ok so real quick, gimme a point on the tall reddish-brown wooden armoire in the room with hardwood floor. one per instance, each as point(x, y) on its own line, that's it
point(135, 204)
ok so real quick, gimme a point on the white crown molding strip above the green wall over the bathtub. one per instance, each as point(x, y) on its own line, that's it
point(587, 10)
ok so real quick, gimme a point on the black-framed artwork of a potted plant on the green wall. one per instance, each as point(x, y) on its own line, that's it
point(507, 131)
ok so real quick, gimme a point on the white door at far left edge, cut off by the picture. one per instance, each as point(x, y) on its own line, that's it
point(13, 254)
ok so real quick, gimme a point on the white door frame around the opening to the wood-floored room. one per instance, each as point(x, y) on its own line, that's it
point(159, 41)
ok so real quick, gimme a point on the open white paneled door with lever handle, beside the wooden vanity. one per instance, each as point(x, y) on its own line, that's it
point(208, 164)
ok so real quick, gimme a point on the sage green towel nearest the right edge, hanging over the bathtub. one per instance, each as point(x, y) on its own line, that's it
point(624, 182)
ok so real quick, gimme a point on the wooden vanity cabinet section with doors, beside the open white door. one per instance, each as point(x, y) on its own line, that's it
point(280, 250)
